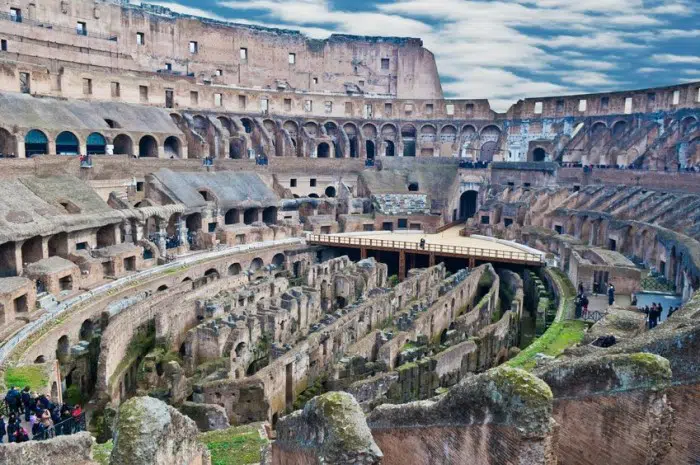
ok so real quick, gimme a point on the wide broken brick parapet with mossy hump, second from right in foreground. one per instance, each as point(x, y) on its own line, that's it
point(498, 417)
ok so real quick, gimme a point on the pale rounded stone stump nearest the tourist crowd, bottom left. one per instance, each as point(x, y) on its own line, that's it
point(149, 432)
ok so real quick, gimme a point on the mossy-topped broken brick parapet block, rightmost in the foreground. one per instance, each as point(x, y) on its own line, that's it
point(616, 410)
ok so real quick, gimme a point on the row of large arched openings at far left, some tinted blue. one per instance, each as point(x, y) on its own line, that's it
point(36, 142)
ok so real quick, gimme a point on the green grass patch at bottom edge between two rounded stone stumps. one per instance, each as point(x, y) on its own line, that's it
point(239, 445)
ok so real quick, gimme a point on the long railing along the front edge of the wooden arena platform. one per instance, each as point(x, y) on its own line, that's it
point(475, 252)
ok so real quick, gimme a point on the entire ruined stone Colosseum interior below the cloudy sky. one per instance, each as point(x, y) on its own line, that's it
point(230, 244)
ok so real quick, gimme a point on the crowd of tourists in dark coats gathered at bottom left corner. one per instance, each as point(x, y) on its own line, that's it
point(44, 419)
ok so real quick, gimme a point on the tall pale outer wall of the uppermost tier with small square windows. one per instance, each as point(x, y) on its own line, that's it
point(150, 38)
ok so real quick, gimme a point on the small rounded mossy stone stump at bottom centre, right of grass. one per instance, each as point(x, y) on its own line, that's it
point(331, 430)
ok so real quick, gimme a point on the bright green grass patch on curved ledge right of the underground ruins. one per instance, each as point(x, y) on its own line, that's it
point(560, 336)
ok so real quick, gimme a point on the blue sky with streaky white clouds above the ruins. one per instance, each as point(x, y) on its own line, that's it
point(504, 50)
